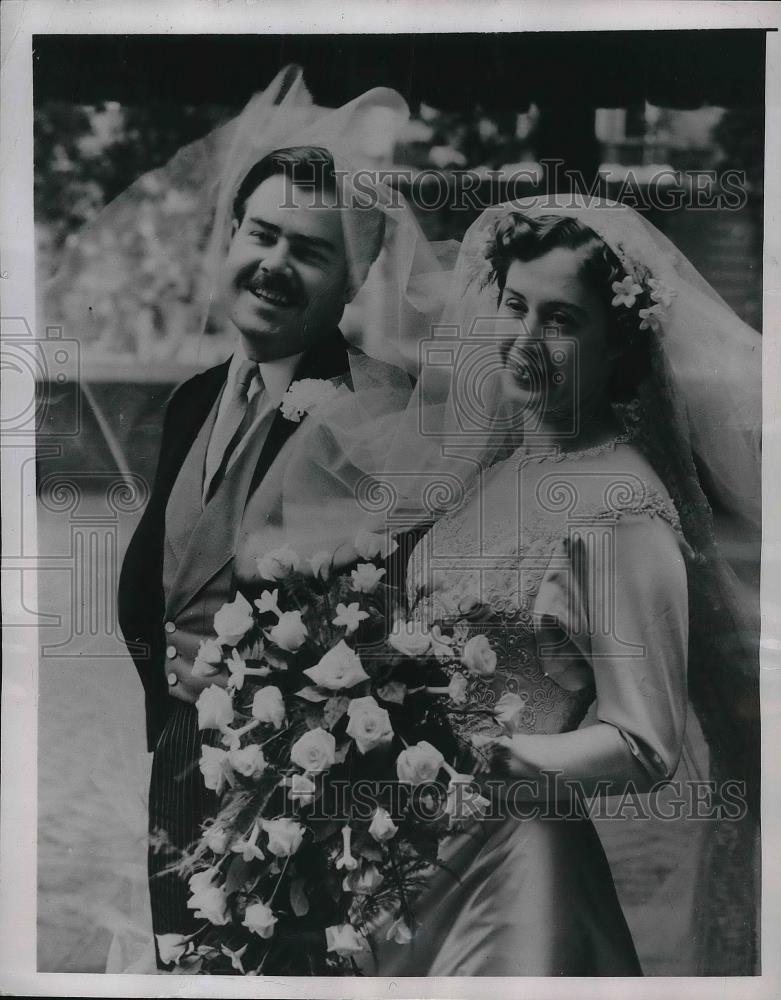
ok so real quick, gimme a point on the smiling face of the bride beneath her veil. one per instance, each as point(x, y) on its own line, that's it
point(557, 365)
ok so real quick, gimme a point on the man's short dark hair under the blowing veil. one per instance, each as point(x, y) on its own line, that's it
point(312, 168)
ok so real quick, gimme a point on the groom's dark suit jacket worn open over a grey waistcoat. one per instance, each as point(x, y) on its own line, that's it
point(141, 603)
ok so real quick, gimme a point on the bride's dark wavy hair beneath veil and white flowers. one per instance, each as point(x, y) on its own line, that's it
point(520, 237)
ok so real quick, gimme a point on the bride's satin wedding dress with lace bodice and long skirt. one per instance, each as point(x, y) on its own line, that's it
point(535, 896)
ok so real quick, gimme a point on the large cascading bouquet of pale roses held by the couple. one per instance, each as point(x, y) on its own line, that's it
point(332, 754)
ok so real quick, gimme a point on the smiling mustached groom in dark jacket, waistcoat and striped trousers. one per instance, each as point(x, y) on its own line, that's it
point(286, 279)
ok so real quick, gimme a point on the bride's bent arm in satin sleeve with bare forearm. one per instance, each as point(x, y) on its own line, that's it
point(633, 632)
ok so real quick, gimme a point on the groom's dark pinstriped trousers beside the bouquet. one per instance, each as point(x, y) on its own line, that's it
point(179, 802)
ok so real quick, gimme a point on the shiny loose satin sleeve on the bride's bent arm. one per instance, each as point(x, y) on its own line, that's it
point(614, 601)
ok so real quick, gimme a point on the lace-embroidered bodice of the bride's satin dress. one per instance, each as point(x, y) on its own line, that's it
point(525, 547)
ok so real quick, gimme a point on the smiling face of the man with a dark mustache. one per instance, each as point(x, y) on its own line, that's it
point(285, 277)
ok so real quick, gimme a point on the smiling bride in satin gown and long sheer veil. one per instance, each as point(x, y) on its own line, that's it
point(578, 542)
